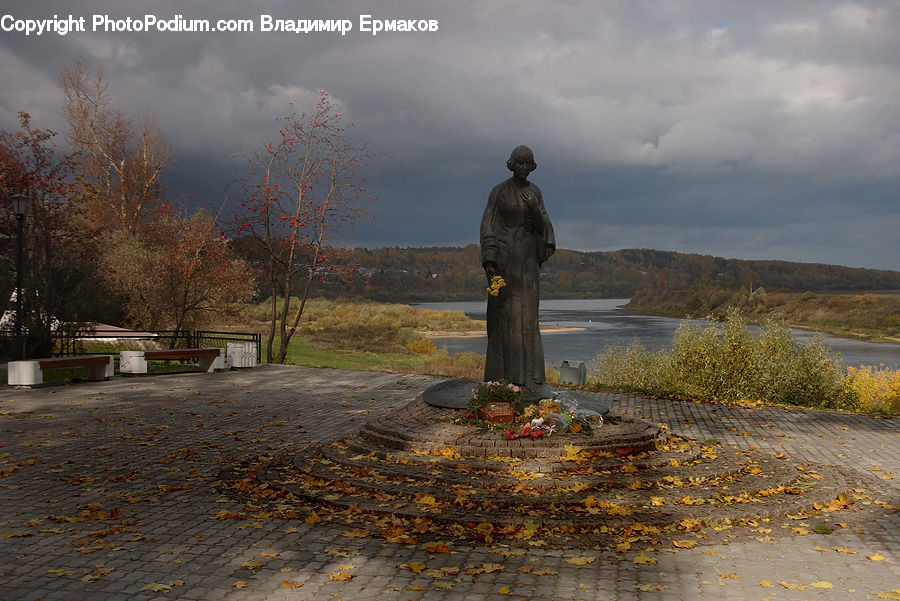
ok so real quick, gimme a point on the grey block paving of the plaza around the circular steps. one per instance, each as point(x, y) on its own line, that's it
point(71, 453)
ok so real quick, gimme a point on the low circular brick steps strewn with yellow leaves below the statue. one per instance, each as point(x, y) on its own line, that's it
point(416, 464)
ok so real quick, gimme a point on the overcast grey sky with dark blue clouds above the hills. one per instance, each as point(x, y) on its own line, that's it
point(755, 130)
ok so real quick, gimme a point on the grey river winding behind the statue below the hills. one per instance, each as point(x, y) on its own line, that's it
point(603, 323)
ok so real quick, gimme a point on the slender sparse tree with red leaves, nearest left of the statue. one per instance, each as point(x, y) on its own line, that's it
point(299, 188)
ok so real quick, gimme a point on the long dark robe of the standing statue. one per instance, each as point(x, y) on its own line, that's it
point(518, 239)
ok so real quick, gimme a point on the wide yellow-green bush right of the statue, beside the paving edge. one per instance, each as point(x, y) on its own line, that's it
point(730, 363)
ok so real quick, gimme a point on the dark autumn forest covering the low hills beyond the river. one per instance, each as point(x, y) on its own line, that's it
point(436, 274)
